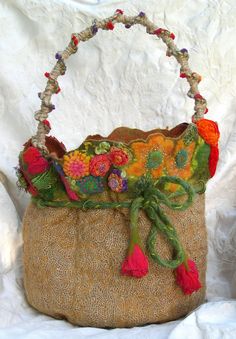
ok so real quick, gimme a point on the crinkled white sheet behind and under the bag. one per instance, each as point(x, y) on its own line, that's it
point(118, 78)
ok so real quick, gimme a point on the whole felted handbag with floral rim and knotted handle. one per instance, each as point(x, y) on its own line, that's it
point(114, 235)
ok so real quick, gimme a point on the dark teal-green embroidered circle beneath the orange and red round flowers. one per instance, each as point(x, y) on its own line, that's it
point(90, 185)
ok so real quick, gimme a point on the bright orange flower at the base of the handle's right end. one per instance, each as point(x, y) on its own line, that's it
point(209, 131)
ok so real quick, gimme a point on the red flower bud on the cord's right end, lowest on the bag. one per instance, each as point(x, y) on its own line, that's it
point(187, 277)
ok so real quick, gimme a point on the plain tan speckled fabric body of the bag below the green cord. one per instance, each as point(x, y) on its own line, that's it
point(72, 261)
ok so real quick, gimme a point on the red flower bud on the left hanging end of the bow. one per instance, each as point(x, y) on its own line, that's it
point(135, 264)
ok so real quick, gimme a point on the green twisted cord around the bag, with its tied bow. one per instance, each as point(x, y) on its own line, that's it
point(149, 198)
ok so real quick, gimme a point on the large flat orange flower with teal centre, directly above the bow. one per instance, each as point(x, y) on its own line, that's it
point(150, 155)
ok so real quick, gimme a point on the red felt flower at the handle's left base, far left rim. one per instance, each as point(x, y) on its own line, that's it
point(36, 163)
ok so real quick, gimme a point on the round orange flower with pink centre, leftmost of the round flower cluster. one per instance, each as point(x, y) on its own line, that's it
point(76, 164)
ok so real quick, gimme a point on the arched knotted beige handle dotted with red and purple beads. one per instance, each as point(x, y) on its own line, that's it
point(167, 37)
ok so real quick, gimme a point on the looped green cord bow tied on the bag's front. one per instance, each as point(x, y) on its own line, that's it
point(150, 198)
